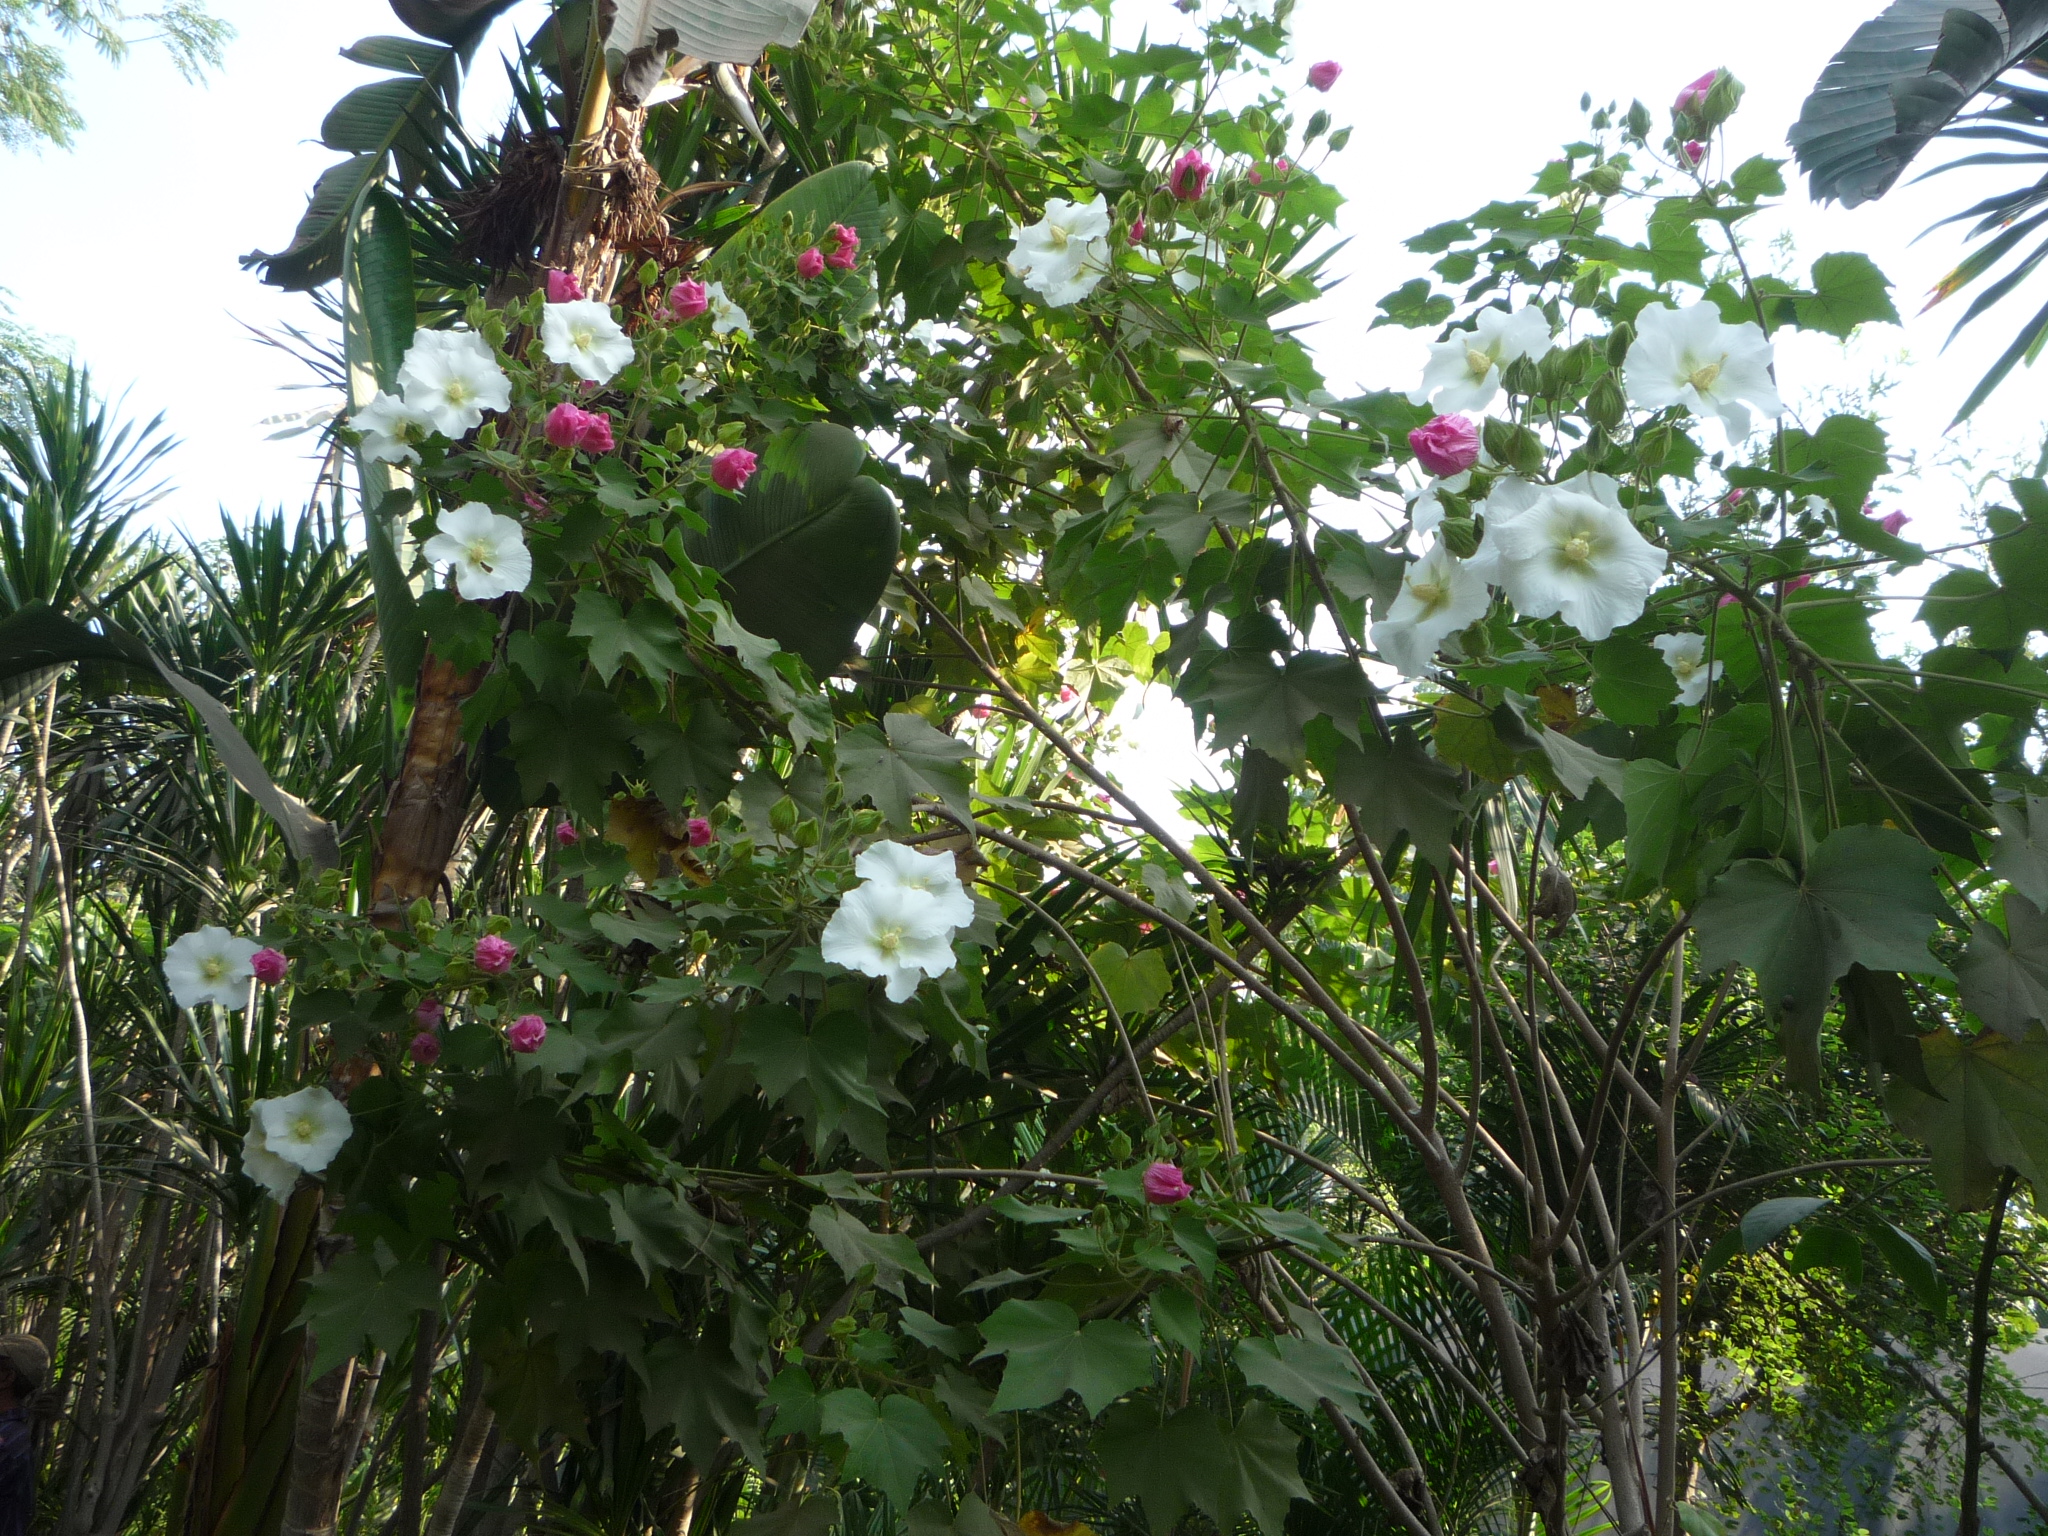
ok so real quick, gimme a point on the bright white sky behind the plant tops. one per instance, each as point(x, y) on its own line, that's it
point(128, 245)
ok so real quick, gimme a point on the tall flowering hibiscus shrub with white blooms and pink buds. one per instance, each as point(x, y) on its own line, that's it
point(802, 1119)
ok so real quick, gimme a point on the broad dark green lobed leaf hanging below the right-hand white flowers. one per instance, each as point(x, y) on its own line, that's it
point(1867, 898)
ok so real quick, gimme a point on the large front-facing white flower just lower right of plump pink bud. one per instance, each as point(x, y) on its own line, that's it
point(1574, 554)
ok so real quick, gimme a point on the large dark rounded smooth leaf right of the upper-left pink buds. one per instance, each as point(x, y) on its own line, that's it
point(810, 548)
